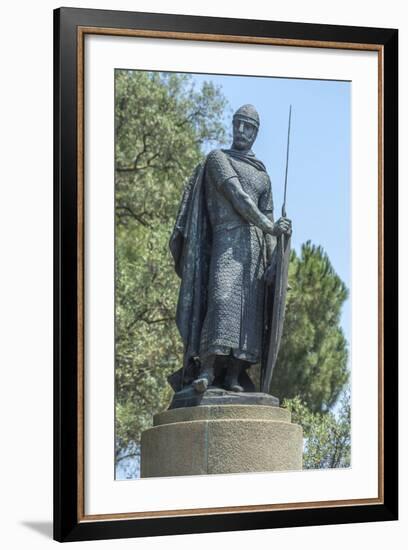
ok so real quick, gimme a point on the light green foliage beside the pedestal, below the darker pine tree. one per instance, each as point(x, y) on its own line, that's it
point(326, 435)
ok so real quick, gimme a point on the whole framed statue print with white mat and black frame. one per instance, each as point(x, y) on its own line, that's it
point(225, 274)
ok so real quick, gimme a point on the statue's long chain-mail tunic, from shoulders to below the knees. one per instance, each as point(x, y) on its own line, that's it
point(234, 189)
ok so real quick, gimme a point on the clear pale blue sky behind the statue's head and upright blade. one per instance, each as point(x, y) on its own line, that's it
point(318, 189)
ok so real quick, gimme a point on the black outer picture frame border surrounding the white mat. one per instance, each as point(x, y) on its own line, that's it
point(68, 525)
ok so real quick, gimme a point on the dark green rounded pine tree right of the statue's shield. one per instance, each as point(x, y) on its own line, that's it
point(312, 361)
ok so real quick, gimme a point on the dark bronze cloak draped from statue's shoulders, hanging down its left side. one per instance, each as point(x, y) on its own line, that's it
point(191, 248)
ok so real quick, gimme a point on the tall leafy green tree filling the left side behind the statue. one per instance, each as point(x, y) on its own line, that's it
point(161, 122)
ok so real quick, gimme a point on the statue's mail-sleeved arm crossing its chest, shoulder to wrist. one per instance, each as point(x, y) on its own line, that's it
point(229, 184)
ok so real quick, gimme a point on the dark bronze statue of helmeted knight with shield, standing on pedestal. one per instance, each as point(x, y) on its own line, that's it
point(232, 260)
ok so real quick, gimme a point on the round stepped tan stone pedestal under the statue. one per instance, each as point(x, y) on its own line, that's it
point(221, 439)
